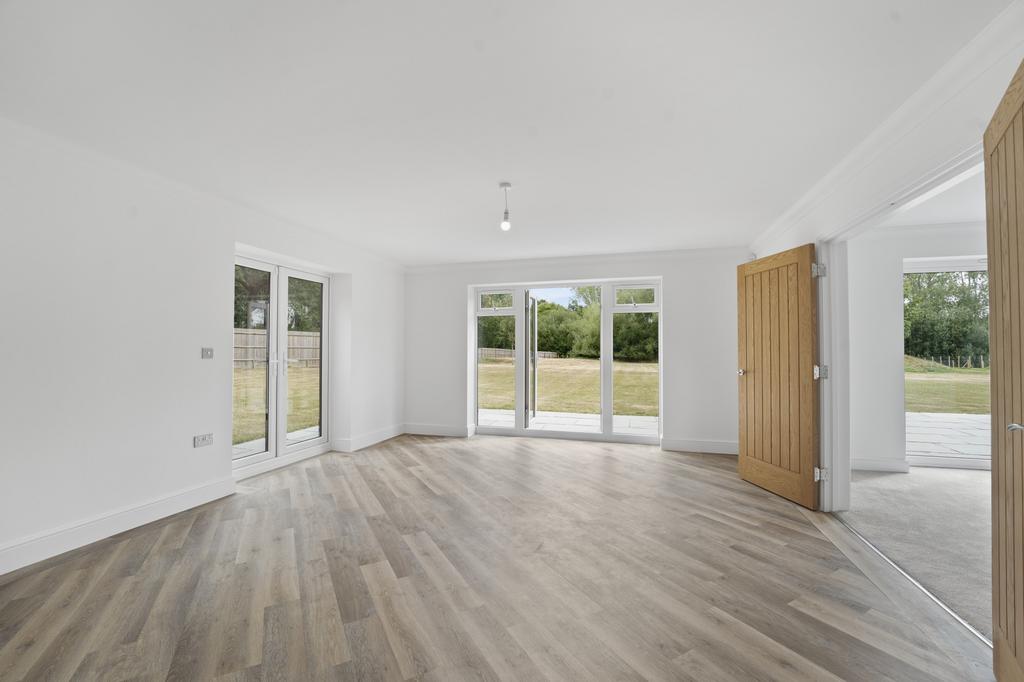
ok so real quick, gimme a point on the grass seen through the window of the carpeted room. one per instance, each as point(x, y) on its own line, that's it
point(934, 388)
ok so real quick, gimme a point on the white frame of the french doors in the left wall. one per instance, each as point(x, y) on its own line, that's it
point(278, 444)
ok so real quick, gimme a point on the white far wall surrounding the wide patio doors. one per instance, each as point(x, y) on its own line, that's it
point(699, 327)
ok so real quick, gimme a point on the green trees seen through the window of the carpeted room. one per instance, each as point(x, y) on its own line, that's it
point(946, 314)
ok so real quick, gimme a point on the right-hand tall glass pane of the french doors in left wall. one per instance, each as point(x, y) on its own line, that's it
point(306, 313)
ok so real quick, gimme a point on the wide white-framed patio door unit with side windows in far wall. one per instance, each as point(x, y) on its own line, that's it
point(565, 360)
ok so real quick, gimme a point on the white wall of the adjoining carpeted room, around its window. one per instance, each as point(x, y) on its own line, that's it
point(878, 422)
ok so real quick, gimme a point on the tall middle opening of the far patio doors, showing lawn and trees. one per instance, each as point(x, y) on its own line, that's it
point(565, 382)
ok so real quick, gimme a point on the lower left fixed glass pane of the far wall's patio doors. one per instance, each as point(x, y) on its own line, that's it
point(496, 371)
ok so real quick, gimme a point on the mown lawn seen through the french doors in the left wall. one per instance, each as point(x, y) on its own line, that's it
point(249, 392)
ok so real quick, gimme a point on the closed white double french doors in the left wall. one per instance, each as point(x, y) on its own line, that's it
point(280, 374)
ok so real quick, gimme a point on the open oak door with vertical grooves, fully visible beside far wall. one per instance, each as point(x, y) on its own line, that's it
point(779, 399)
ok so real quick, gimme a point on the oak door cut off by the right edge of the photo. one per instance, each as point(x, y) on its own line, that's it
point(1005, 208)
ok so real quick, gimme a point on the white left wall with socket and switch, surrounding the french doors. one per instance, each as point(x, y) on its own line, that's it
point(113, 279)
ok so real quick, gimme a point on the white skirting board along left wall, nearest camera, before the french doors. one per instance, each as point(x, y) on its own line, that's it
point(49, 544)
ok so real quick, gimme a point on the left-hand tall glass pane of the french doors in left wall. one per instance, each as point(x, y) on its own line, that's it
point(250, 386)
